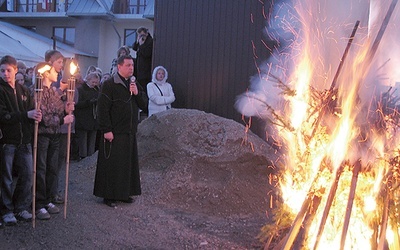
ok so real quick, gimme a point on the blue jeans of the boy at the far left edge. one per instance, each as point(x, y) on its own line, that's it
point(16, 177)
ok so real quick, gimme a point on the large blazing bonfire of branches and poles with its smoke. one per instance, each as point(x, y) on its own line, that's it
point(329, 94)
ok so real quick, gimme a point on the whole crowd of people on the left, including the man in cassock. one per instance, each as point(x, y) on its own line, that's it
point(35, 122)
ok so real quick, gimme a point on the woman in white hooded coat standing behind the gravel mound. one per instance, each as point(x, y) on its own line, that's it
point(159, 91)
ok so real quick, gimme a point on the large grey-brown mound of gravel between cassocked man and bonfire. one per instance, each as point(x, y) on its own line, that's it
point(204, 163)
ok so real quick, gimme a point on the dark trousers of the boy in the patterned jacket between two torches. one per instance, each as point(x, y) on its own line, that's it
point(47, 169)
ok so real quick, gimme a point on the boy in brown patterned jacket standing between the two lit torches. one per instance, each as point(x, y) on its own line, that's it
point(56, 112)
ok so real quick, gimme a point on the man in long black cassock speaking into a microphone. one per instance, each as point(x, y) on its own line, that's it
point(117, 174)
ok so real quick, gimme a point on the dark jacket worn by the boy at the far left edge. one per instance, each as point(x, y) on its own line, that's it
point(15, 103)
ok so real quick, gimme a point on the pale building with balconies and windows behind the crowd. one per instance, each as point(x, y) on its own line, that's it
point(95, 29)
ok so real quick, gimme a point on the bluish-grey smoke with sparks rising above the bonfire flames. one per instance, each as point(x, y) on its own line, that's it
point(323, 29)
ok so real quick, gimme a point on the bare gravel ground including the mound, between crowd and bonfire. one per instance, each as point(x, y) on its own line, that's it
point(204, 187)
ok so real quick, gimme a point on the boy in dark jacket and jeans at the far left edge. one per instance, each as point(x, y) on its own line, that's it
point(17, 114)
